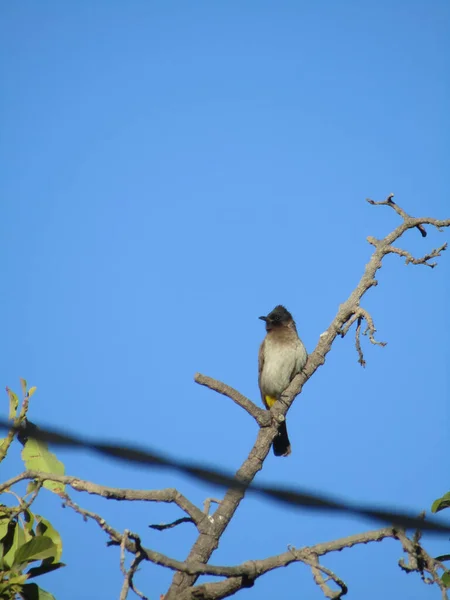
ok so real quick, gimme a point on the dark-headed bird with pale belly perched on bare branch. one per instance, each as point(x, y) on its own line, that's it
point(282, 356)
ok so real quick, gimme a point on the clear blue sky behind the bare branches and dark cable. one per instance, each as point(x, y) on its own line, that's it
point(170, 171)
